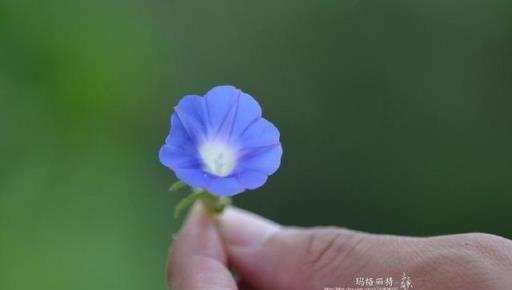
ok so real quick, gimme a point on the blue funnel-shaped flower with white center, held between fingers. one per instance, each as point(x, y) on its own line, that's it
point(221, 143)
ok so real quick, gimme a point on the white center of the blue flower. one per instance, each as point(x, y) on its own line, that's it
point(218, 158)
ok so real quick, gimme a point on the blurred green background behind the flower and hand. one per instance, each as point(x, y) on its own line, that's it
point(395, 117)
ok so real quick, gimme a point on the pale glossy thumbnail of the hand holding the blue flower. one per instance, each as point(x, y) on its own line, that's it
point(245, 229)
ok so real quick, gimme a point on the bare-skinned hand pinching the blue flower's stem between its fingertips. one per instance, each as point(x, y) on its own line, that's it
point(270, 256)
